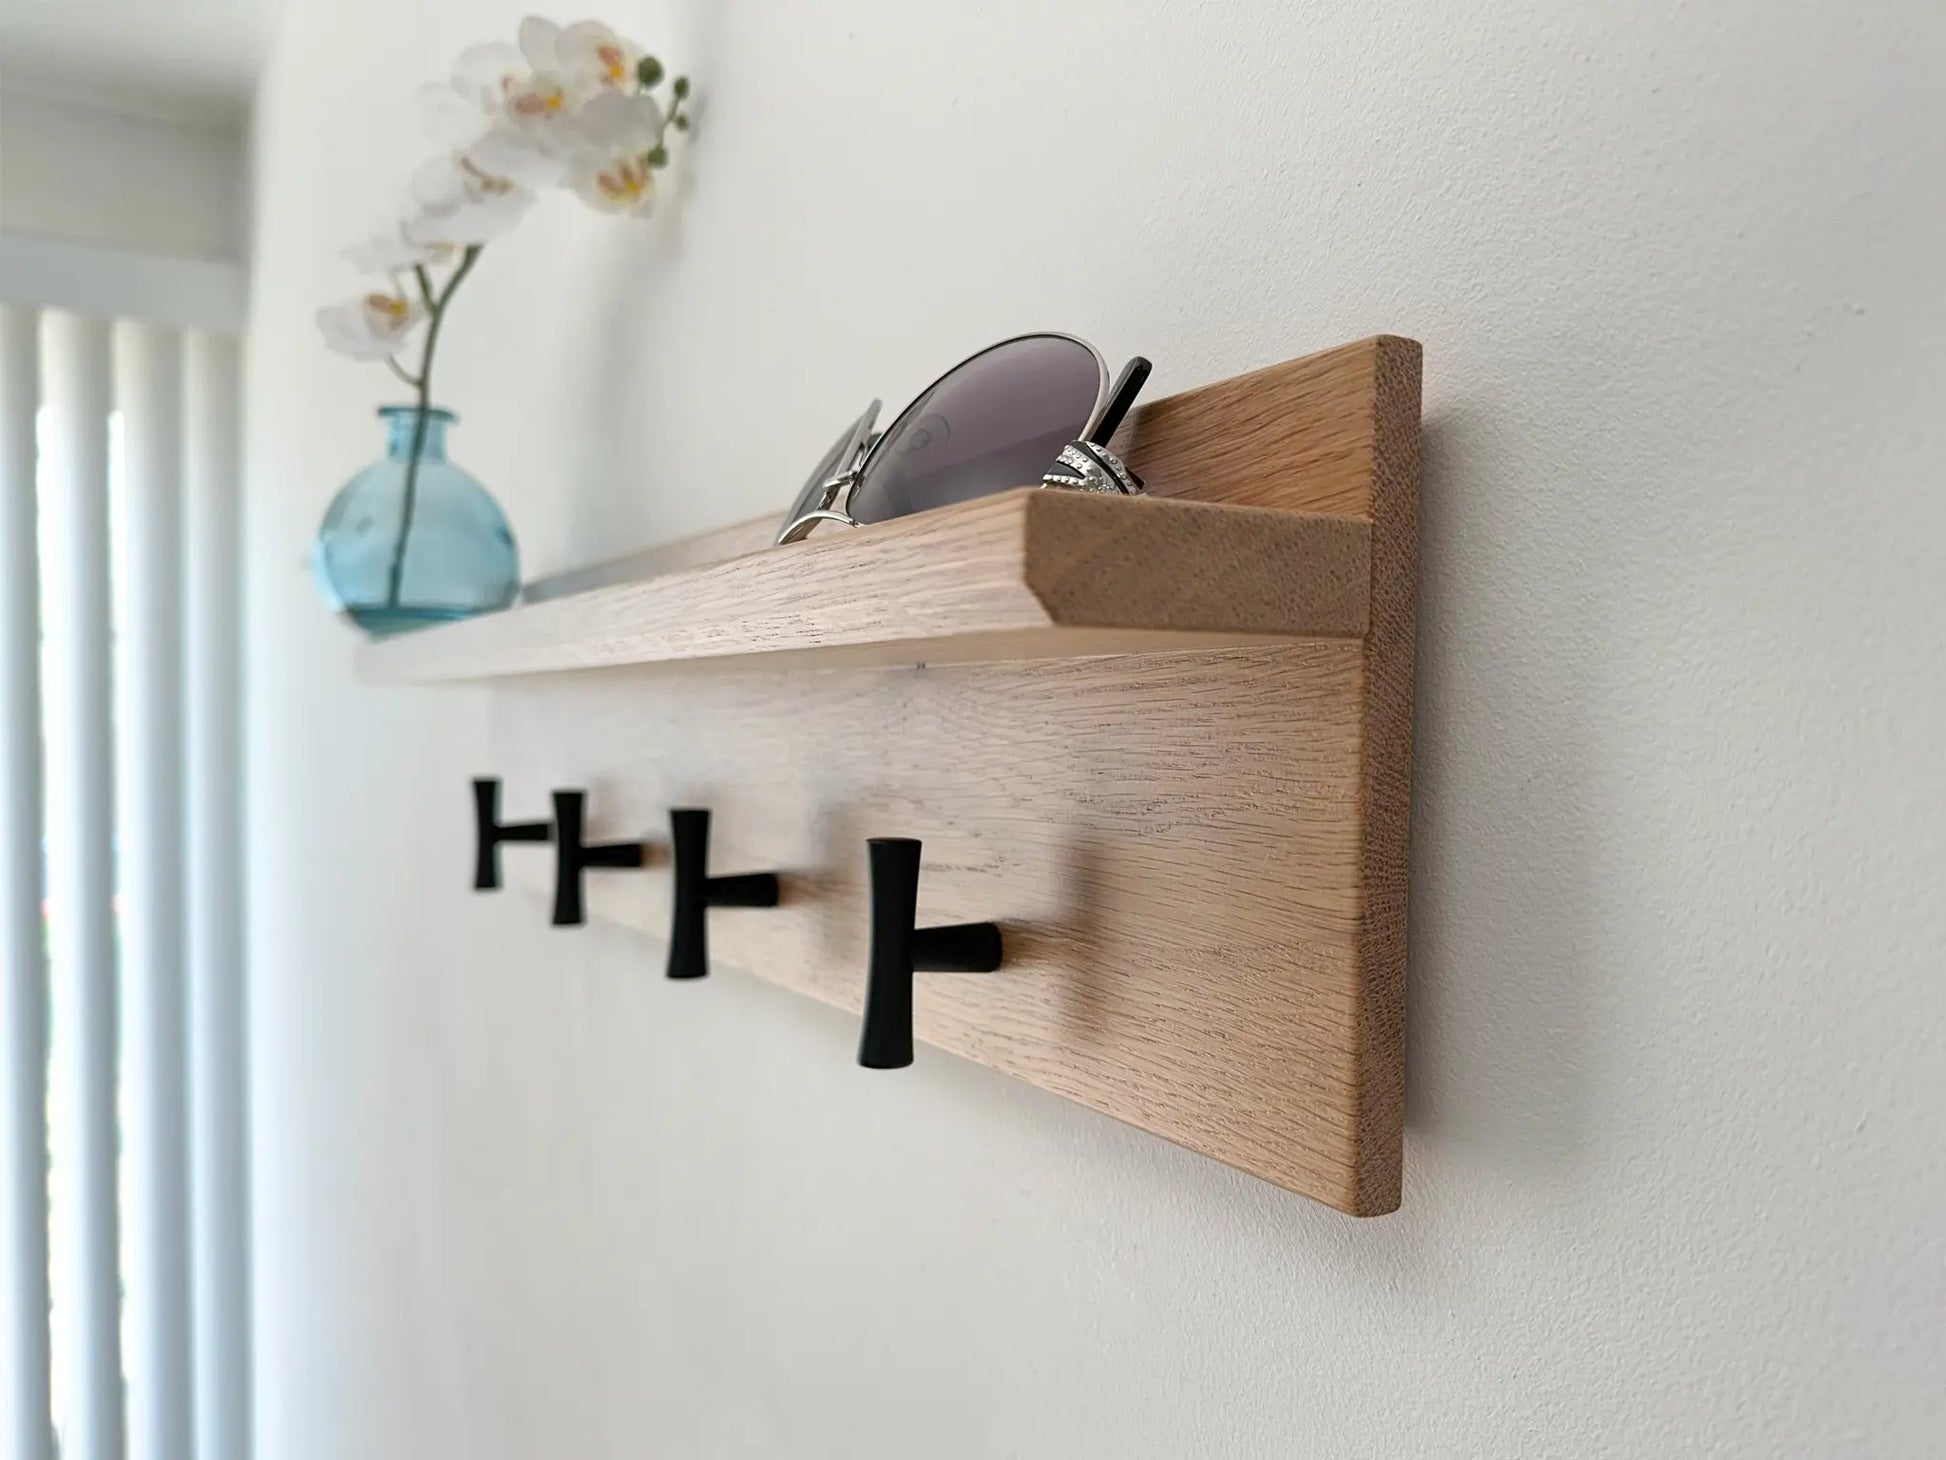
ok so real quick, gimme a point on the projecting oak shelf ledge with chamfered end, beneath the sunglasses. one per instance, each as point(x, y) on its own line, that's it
point(1023, 575)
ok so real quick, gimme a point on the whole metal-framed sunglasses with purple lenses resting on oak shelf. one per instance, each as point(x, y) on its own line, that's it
point(995, 421)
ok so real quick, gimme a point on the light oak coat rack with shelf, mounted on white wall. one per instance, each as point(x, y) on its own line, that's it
point(1163, 743)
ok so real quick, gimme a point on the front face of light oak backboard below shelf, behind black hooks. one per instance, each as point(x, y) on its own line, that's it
point(1171, 842)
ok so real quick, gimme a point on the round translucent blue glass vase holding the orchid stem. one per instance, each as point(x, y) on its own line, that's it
point(404, 550)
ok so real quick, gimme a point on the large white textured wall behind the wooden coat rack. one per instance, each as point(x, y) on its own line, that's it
point(1675, 1177)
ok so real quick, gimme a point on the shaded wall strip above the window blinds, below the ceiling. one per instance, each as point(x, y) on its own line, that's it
point(139, 184)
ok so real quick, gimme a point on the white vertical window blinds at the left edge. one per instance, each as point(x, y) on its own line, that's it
point(122, 1002)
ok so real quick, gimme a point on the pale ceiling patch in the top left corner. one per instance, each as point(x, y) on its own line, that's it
point(172, 57)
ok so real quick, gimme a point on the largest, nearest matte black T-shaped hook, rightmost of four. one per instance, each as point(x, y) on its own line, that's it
point(900, 951)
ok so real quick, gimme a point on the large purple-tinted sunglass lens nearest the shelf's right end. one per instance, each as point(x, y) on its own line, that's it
point(995, 423)
